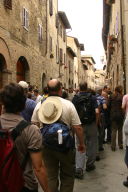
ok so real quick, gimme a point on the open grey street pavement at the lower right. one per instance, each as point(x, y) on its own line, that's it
point(108, 176)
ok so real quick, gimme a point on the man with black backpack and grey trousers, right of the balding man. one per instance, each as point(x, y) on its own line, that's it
point(87, 108)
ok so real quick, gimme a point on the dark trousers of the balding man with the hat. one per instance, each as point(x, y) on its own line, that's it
point(60, 168)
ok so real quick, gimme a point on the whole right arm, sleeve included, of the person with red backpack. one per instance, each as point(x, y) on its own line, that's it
point(33, 139)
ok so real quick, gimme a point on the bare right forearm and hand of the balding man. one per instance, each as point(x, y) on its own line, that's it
point(80, 135)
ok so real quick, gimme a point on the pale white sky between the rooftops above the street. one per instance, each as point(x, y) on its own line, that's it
point(86, 20)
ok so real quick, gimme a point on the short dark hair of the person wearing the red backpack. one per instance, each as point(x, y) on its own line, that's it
point(13, 98)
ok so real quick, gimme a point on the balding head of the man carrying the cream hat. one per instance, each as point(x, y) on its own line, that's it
point(54, 87)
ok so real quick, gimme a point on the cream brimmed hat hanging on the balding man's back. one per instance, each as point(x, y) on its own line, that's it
point(50, 110)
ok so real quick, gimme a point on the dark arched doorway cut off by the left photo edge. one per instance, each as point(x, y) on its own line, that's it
point(2, 68)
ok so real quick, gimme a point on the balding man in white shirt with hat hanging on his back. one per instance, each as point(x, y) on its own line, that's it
point(59, 158)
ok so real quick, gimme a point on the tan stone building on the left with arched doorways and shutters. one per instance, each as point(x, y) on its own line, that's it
point(33, 42)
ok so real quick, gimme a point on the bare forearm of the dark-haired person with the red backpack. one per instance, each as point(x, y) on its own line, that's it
point(39, 170)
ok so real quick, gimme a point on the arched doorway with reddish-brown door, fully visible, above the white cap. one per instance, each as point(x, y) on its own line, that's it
point(23, 71)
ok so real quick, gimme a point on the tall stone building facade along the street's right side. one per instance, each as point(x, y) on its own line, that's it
point(114, 44)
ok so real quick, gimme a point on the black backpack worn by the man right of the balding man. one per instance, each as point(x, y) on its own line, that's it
point(85, 108)
